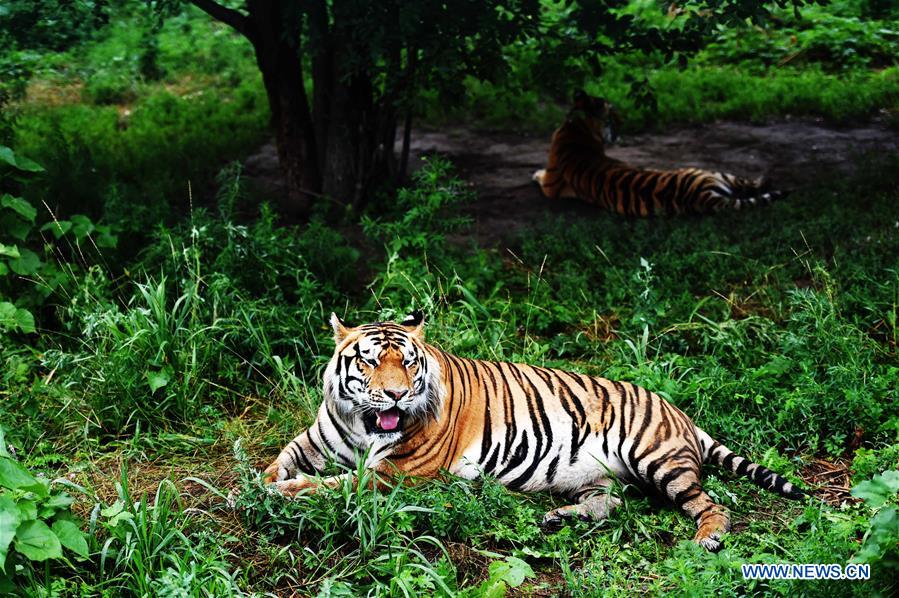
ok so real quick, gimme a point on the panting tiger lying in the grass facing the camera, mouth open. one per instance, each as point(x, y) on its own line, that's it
point(407, 408)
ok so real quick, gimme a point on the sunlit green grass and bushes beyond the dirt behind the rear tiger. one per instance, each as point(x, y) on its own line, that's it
point(828, 63)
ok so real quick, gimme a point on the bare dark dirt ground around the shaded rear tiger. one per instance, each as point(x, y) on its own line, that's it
point(790, 153)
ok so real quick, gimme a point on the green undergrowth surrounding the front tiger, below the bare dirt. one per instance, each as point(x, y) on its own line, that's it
point(782, 345)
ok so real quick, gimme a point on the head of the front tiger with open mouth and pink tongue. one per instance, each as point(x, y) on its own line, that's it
point(381, 376)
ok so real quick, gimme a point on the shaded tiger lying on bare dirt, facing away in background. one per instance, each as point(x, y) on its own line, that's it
point(579, 168)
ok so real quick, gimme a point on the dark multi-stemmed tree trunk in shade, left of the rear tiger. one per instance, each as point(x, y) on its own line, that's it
point(342, 146)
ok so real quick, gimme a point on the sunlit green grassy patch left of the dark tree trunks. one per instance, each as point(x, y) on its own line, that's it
point(120, 138)
